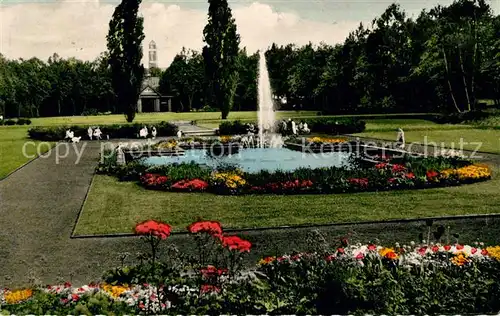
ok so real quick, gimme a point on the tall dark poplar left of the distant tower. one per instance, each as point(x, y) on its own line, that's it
point(125, 54)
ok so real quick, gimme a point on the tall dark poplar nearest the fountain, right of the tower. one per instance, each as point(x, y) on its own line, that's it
point(221, 56)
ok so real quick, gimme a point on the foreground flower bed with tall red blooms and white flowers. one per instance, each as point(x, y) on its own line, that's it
point(334, 277)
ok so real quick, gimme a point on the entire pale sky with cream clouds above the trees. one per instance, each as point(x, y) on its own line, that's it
point(78, 28)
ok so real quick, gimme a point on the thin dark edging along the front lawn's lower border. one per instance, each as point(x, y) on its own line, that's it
point(391, 221)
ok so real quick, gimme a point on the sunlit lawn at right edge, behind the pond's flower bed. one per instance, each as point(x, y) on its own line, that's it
point(489, 139)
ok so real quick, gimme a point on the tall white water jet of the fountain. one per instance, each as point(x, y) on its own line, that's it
point(267, 119)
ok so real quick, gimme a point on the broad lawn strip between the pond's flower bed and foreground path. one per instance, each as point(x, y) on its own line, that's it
point(114, 207)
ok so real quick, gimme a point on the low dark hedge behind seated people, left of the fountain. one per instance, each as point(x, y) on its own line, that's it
point(114, 131)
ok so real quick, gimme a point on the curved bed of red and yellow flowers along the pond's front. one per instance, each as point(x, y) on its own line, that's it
point(389, 174)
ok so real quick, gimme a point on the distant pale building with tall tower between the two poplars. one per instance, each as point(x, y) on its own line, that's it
point(150, 98)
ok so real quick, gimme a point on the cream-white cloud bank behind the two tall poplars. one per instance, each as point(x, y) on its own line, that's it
point(78, 28)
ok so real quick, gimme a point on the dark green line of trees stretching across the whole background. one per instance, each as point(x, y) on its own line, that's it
point(446, 59)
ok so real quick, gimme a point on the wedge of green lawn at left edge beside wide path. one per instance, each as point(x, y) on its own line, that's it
point(12, 143)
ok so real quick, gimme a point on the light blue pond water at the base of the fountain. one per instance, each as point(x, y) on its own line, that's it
point(257, 159)
